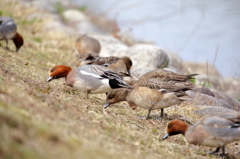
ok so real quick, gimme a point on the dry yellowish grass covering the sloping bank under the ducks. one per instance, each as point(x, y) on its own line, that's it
point(51, 120)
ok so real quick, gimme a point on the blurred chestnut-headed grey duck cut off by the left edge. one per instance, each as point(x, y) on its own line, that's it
point(8, 31)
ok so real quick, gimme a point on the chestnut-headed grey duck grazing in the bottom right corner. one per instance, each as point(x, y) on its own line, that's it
point(215, 130)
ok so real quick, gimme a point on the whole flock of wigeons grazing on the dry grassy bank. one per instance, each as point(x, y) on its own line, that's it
point(157, 89)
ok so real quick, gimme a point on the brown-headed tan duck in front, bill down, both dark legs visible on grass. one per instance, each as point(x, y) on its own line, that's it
point(148, 98)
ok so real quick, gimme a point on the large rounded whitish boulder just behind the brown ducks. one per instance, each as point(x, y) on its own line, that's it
point(148, 56)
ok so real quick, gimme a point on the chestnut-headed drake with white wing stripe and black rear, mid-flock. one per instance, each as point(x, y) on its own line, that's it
point(89, 78)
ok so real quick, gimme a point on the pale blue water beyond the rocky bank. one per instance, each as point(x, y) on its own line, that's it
point(197, 30)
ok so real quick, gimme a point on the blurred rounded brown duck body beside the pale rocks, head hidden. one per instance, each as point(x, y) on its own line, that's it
point(87, 44)
